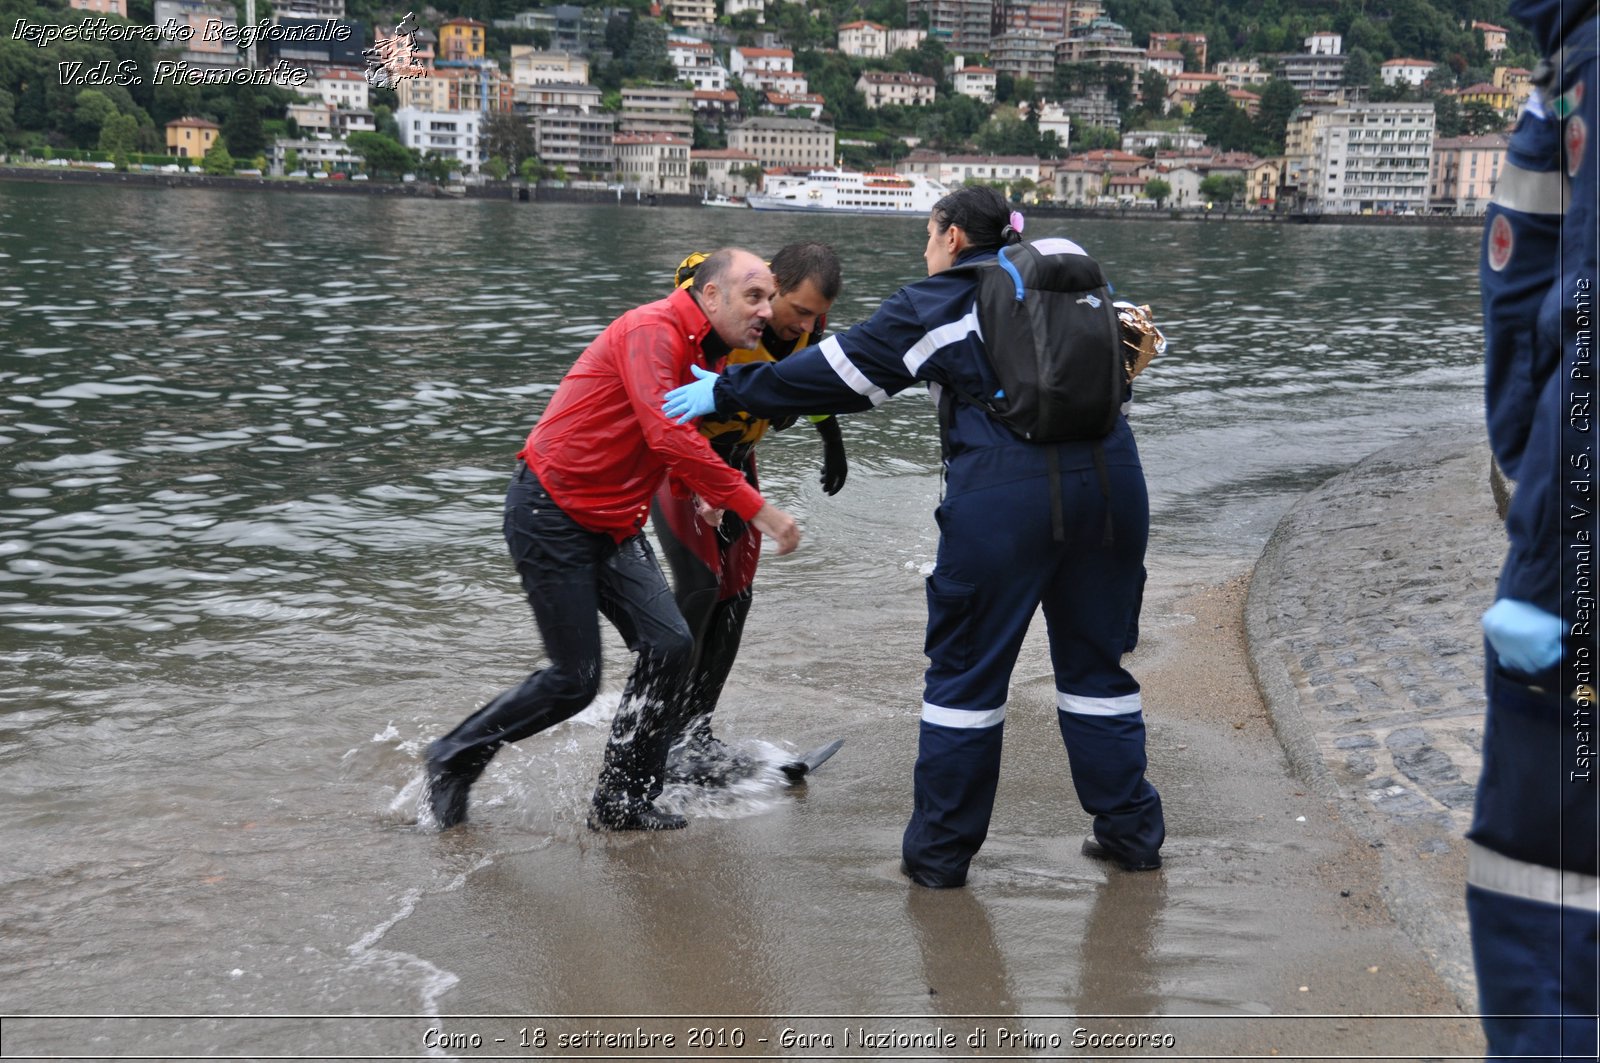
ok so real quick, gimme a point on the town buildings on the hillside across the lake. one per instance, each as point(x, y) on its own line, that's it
point(1343, 154)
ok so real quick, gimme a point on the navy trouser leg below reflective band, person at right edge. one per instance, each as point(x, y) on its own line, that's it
point(1537, 968)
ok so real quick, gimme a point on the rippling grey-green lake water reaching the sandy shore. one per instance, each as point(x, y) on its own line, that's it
point(254, 451)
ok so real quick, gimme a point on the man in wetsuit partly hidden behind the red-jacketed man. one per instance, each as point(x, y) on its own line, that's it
point(714, 564)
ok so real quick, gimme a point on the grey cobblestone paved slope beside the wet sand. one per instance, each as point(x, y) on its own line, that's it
point(1364, 636)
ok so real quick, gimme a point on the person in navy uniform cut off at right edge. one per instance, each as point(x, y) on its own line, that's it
point(1534, 884)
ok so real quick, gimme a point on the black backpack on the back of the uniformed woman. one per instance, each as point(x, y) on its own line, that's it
point(1054, 342)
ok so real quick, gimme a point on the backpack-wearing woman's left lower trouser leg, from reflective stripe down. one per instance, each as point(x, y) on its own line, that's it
point(958, 772)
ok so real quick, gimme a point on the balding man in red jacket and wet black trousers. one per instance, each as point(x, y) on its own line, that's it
point(575, 516)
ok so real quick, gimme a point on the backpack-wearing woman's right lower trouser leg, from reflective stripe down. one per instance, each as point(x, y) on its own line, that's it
point(1105, 740)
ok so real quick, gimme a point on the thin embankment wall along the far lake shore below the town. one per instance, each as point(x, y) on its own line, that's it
point(518, 191)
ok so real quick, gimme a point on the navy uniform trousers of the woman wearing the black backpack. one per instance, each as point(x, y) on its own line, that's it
point(999, 563)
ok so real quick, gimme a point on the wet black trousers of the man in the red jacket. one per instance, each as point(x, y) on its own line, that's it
point(572, 577)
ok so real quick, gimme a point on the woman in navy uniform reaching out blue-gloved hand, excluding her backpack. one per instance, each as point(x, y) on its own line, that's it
point(998, 561)
